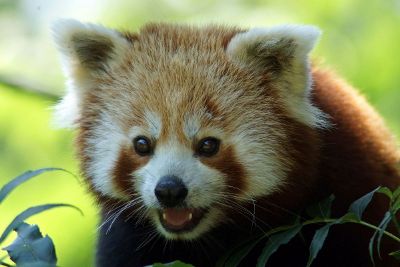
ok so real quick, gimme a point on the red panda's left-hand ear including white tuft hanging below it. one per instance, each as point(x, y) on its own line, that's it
point(86, 50)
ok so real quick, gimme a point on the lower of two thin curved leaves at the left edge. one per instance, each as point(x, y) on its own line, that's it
point(30, 212)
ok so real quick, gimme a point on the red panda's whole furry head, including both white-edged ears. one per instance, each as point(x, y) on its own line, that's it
point(185, 123)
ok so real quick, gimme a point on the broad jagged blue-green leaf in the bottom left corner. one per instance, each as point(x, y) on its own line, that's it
point(31, 247)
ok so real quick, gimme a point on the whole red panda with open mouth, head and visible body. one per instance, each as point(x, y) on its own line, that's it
point(194, 138)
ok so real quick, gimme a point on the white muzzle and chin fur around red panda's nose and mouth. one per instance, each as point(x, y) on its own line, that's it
point(204, 184)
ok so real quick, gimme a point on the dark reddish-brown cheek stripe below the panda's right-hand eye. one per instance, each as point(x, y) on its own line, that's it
point(227, 163)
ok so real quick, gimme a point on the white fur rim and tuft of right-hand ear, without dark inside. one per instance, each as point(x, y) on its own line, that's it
point(296, 81)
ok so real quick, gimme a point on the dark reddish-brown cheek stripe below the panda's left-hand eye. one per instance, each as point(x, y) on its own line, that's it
point(127, 163)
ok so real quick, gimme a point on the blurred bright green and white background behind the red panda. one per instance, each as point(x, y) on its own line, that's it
point(361, 41)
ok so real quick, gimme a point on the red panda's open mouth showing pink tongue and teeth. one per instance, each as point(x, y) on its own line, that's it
point(180, 219)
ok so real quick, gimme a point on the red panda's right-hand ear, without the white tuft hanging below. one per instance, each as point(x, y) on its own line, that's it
point(279, 51)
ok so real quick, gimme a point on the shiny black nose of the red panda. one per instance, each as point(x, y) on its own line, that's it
point(170, 191)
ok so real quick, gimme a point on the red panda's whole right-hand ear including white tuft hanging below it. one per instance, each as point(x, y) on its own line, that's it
point(283, 52)
